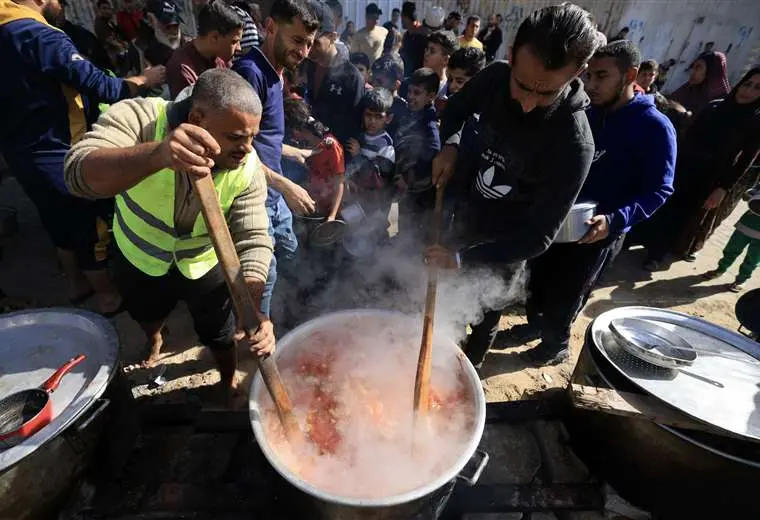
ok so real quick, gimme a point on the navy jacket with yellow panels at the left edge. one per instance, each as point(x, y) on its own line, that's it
point(46, 94)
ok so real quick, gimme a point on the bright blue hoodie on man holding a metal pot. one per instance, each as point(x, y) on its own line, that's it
point(634, 163)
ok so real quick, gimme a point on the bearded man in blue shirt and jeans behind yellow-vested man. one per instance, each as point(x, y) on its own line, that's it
point(291, 28)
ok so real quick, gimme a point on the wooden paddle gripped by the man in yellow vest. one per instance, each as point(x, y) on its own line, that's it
point(216, 224)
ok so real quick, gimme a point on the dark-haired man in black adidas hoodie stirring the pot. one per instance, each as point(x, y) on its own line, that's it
point(524, 157)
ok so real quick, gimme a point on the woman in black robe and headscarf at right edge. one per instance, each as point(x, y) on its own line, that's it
point(712, 172)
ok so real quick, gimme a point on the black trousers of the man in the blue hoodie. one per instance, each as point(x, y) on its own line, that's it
point(561, 281)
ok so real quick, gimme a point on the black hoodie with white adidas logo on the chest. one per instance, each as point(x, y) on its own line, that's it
point(523, 171)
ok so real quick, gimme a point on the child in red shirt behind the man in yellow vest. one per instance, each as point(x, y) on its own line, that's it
point(326, 165)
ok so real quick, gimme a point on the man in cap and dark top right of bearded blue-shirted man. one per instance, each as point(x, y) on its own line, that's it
point(334, 87)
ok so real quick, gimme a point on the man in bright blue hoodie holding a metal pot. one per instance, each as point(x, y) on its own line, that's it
point(631, 176)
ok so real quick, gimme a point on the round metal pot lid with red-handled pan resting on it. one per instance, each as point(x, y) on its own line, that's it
point(33, 344)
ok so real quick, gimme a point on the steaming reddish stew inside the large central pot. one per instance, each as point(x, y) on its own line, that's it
point(352, 391)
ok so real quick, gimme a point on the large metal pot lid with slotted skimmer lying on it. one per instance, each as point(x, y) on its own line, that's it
point(734, 408)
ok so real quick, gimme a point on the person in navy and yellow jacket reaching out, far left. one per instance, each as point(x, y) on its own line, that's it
point(53, 95)
